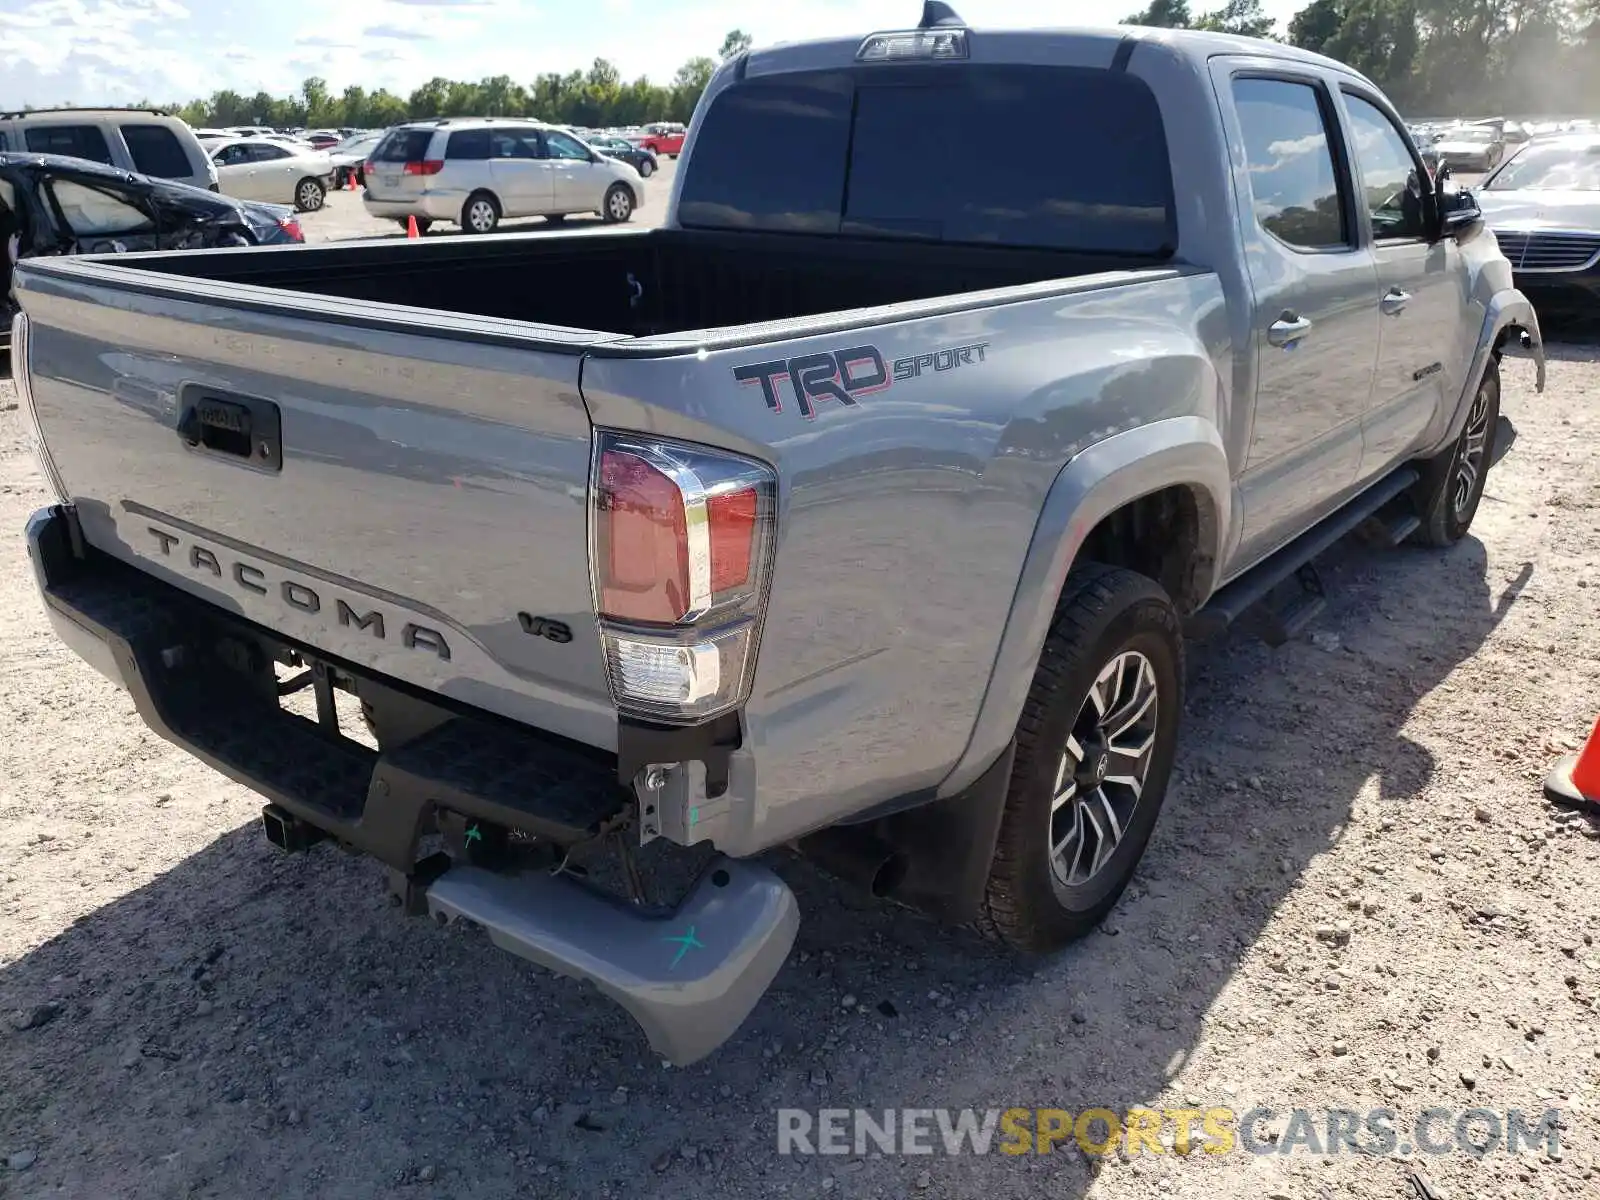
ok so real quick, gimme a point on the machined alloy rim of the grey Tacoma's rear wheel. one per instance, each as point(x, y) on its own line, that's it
point(1103, 769)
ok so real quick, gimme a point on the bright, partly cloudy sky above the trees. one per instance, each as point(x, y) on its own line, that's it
point(121, 52)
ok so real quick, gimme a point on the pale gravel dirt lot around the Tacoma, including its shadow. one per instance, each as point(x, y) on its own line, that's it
point(186, 1012)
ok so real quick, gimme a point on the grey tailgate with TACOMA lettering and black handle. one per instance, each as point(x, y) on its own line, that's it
point(407, 502)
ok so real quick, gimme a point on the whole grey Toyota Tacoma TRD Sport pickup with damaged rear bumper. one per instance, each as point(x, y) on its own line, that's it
point(865, 506)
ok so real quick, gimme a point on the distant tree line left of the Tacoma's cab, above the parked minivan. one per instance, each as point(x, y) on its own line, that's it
point(586, 98)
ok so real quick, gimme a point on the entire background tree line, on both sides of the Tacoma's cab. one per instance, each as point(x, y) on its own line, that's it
point(1434, 58)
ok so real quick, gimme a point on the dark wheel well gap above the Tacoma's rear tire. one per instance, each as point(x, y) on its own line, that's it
point(1167, 537)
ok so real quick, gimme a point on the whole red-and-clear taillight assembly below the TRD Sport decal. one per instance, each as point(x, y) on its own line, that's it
point(681, 558)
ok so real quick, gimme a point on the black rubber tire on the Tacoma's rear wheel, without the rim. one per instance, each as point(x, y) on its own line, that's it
point(1105, 614)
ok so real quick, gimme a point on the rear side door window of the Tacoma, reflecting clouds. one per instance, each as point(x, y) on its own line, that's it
point(1294, 182)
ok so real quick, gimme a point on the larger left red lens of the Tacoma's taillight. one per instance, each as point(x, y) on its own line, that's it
point(644, 542)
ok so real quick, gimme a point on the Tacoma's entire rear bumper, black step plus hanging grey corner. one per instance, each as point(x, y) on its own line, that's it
point(689, 975)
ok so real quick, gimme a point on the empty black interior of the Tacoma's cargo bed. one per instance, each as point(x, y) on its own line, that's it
point(638, 282)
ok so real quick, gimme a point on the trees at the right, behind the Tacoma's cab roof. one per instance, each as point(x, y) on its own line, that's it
point(1439, 58)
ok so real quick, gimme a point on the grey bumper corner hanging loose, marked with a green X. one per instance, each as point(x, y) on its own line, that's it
point(689, 977)
